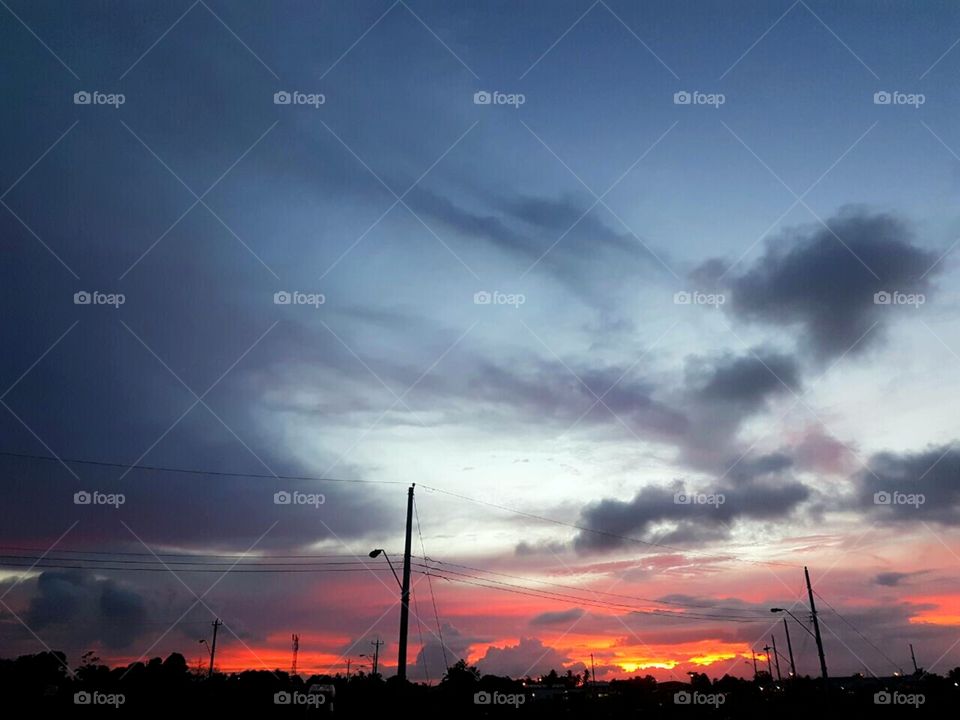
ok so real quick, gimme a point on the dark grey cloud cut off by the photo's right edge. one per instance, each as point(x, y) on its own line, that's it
point(912, 487)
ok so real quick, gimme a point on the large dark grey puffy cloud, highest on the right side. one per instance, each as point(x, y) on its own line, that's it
point(825, 286)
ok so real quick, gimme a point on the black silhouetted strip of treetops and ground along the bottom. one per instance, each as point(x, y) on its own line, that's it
point(44, 682)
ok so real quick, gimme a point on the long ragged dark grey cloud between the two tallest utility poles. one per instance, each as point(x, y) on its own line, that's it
point(609, 521)
